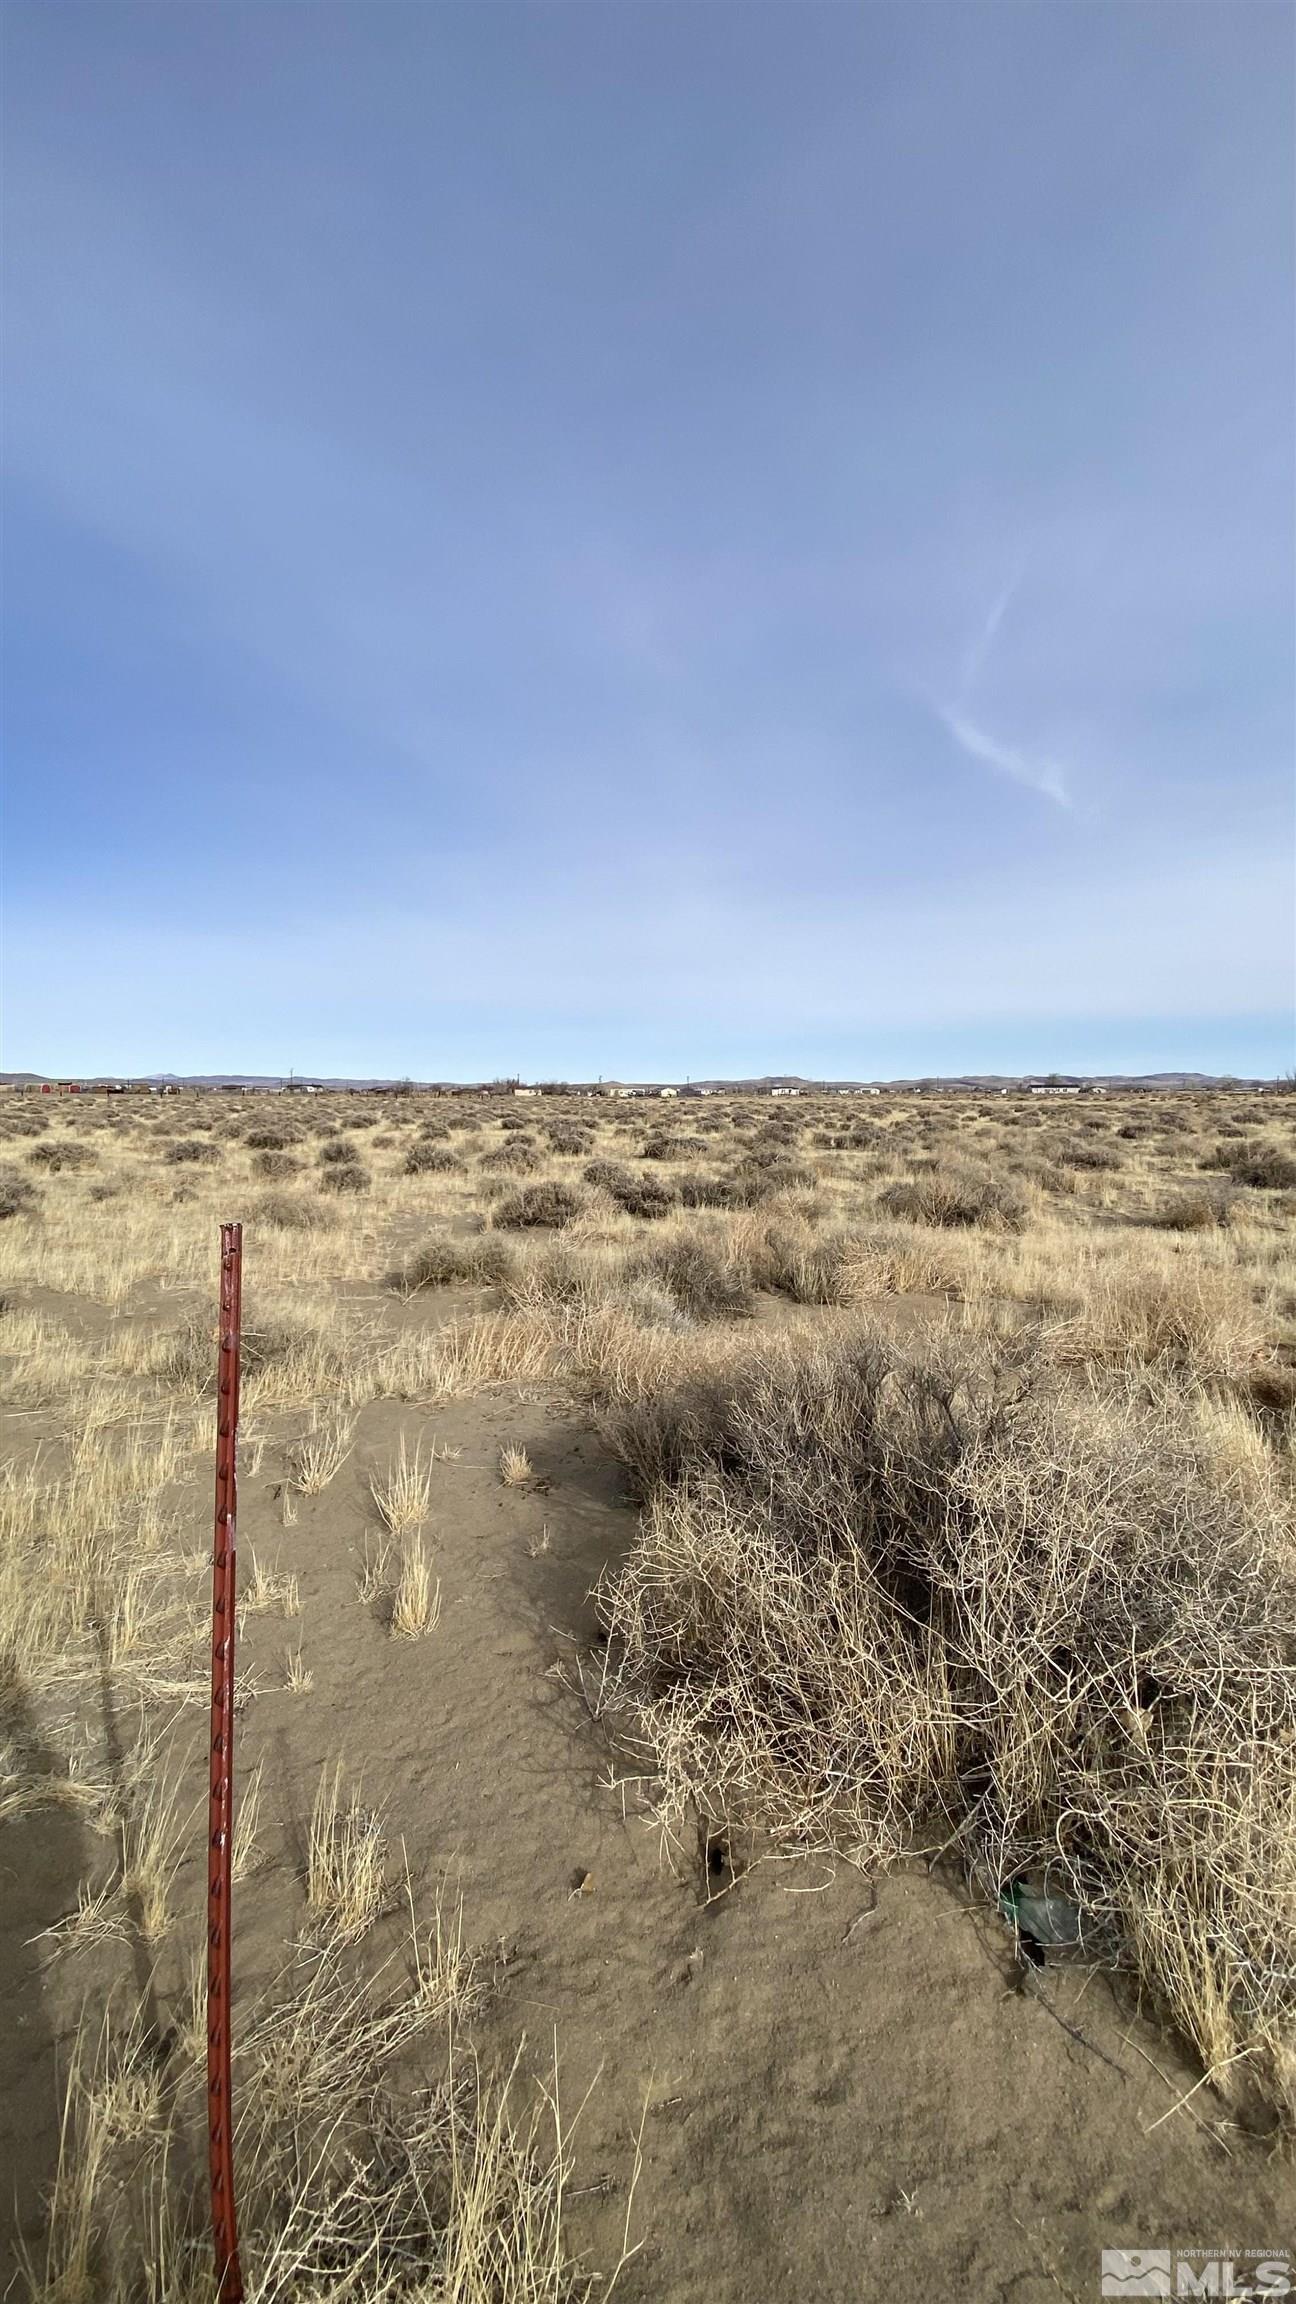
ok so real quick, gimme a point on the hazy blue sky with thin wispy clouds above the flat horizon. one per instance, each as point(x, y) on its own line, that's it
point(649, 540)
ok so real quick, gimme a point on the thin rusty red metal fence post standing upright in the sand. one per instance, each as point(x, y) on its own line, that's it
point(220, 1805)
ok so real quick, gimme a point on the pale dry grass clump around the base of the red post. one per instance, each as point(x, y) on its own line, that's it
point(349, 2188)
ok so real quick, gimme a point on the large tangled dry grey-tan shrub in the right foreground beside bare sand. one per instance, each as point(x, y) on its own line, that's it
point(877, 1600)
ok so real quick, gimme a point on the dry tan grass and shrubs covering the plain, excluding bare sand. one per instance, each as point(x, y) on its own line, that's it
point(963, 1437)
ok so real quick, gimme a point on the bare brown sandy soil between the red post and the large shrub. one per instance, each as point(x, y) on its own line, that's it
point(838, 2095)
